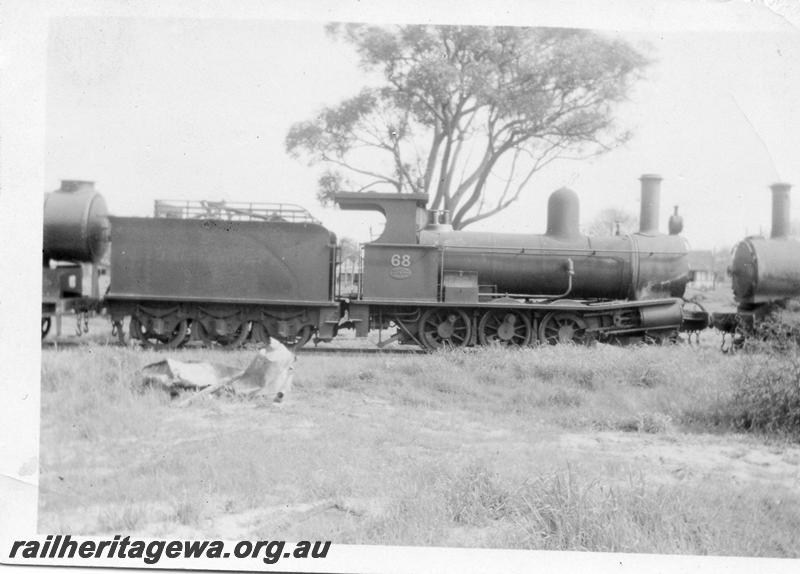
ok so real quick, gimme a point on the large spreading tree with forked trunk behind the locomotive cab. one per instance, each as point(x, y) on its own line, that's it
point(468, 114)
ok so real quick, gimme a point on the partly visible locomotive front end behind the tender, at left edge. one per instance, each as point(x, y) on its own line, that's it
point(75, 240)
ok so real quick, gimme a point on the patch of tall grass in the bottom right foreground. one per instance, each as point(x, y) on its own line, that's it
point(569, 508)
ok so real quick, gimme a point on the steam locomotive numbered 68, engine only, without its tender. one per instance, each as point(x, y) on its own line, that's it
point(442, 287)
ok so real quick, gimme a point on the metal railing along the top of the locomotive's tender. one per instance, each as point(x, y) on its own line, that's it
point(231, 211)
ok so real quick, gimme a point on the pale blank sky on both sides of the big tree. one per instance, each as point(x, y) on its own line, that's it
point(178, 108)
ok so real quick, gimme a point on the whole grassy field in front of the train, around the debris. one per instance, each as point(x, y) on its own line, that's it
point(450, 449)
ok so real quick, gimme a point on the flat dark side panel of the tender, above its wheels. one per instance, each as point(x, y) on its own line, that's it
point(175, 260)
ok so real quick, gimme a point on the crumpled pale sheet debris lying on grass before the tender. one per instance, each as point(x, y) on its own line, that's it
point(269, 374)
